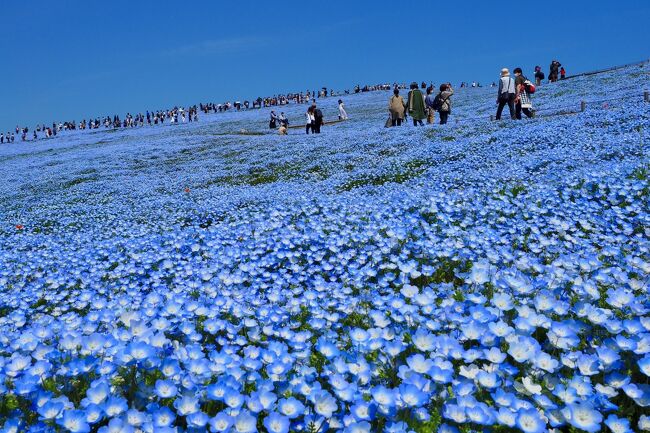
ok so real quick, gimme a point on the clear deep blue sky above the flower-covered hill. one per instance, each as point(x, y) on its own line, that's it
point(64, 60)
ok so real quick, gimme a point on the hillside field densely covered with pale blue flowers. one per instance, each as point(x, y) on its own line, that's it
point(478, 276)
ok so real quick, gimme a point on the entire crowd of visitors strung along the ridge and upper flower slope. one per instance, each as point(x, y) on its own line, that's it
point(514, 92)
